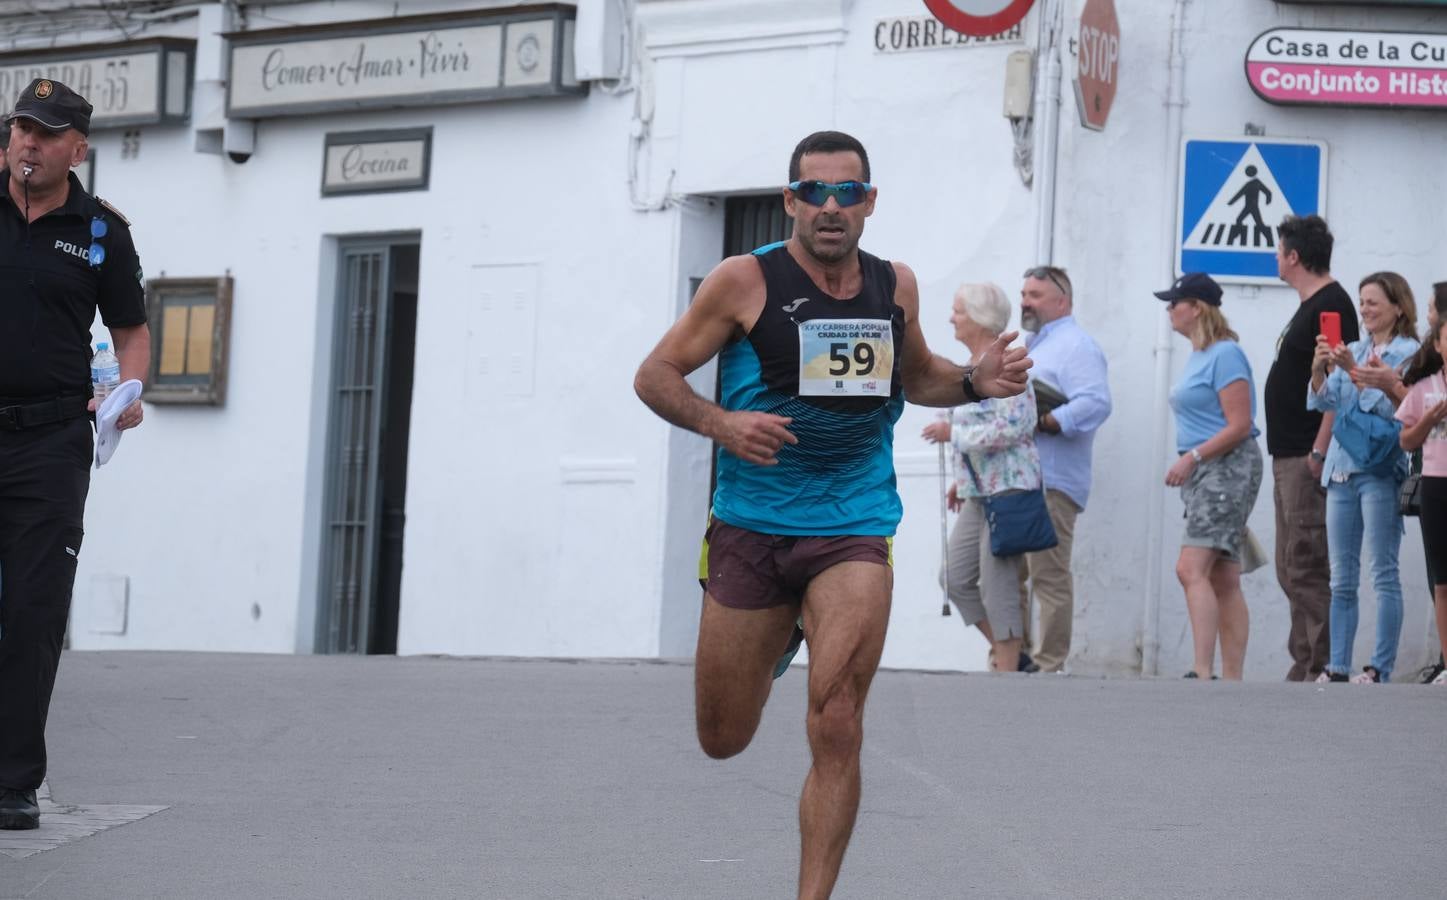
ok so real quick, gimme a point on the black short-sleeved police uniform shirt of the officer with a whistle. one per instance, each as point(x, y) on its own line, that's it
point(50, 293)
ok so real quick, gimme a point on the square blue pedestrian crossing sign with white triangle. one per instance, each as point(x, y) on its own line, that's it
point(1234, 196)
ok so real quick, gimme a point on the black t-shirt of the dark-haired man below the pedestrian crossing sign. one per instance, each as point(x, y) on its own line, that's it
point(1291, 428)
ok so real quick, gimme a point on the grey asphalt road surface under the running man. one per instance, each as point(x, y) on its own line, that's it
point(439, 778)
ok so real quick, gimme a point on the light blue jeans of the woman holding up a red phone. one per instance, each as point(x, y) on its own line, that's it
point(1365, 507)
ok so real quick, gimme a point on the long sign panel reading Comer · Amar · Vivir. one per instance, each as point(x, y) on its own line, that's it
point(413, 61)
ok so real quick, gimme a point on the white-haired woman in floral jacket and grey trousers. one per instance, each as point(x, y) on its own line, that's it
point(998, 439)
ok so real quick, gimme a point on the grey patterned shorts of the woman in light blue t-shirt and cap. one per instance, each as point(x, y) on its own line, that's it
point(1219, 498)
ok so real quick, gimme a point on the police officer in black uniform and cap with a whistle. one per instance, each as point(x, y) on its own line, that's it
point(63, 255)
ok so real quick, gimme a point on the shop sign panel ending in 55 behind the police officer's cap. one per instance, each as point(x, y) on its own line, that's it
point(135, 83)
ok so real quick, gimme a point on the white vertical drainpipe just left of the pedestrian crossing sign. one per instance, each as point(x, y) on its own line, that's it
point(1155, 536)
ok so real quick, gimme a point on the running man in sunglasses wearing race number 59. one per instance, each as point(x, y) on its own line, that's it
point(820, 345)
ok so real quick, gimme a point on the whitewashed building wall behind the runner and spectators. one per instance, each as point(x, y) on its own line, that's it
point(564, 520)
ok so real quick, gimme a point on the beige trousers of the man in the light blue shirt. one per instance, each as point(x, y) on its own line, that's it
point(1053, 587)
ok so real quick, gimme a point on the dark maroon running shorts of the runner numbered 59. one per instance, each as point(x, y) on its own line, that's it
point(749, 571)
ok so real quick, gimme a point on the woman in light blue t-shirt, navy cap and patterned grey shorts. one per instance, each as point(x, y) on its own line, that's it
point(1219, 472)
